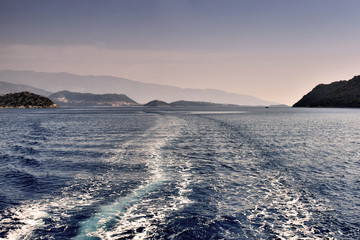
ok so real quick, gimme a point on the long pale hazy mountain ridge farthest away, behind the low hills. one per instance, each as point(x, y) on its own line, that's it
point(138, 91)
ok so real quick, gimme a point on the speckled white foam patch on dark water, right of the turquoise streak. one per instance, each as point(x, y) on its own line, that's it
point(286, 212)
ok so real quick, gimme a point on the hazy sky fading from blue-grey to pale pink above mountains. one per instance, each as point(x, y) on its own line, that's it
point(277, 50)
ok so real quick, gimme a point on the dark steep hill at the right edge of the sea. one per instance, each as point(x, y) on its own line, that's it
point(341, 94)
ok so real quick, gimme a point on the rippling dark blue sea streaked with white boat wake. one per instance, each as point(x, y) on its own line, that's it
point(170, 173)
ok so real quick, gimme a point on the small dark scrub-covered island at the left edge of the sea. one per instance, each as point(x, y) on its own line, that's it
point(25, 100)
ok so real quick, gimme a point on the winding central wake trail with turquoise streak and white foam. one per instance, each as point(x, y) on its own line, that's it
point(138, 214)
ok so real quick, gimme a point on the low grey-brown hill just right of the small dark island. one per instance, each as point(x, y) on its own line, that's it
point(67, 98)
